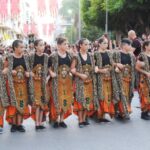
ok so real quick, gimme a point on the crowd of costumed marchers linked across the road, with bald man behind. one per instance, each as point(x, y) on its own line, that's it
point(88, 81)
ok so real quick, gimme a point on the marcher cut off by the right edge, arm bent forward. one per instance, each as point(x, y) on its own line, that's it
point(143, 67)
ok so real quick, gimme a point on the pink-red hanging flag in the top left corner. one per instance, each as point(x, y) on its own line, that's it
point(3, 9)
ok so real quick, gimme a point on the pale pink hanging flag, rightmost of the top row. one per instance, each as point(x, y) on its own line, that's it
point(53, 7)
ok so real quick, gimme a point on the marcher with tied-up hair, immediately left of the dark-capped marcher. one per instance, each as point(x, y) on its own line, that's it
point(105, 80)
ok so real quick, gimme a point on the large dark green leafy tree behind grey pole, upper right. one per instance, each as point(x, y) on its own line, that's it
point(123, 14)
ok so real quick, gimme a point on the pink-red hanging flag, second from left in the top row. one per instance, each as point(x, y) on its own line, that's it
point(15, 7)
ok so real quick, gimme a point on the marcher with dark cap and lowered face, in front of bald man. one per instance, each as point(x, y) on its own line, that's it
point(125, 76)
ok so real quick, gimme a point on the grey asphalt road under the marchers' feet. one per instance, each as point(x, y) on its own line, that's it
point(130, 135)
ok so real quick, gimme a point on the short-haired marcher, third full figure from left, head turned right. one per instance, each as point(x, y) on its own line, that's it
point(61, 96)
